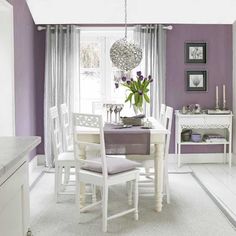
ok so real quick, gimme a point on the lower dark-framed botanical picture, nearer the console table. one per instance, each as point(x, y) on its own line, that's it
point(196, 80)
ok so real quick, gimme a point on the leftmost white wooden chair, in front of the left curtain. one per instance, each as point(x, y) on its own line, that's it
point(63, 160)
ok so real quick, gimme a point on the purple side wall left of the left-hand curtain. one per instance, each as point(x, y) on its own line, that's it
point(29, 68)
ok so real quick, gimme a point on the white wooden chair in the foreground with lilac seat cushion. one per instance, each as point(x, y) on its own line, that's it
point(98, 170)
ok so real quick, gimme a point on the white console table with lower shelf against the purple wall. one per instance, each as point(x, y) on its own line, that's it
point(203, 122)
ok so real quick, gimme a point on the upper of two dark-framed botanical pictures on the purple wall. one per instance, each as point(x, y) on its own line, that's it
point(195, 52)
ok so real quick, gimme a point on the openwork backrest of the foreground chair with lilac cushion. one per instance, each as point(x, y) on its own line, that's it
point(81, 121)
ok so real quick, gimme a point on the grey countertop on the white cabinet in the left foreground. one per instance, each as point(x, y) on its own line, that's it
point(13, 149)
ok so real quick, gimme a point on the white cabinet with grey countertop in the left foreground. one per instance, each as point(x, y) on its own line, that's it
point(14, 185)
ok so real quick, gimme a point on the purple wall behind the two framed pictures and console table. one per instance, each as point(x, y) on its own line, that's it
point(218, 66)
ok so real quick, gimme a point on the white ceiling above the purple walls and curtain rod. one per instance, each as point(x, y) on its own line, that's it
point(139, 11)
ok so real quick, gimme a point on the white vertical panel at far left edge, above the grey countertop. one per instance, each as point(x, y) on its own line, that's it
point(7, 99)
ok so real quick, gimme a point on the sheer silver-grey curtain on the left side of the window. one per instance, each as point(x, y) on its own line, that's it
point(61, 69)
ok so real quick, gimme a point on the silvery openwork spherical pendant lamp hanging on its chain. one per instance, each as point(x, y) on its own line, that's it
point(125, 55)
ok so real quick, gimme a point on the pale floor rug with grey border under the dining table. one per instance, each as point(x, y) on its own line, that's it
point(191, 213)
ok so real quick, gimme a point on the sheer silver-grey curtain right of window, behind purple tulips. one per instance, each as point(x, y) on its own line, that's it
point(152, 39)
